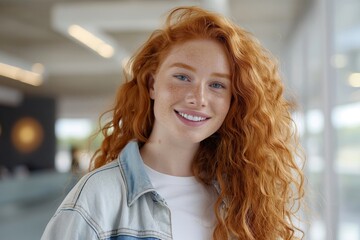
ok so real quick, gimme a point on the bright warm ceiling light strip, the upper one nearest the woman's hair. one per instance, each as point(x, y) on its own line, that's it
point(103, 49)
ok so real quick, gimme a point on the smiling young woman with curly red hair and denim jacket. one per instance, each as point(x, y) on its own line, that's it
point(201, 144)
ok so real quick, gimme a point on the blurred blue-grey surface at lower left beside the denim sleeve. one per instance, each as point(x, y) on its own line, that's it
point(28, 203)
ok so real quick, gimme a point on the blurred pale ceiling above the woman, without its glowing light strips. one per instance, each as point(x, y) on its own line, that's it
point(34, 31)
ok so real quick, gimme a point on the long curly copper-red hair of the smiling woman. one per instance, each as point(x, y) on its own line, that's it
point(252, 157)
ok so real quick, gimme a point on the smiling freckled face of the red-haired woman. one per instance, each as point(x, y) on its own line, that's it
point(191, 92)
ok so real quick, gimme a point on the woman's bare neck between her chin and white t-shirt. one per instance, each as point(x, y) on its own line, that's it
point(169, 157)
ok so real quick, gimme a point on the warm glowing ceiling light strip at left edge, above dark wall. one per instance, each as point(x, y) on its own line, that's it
point(20, 74)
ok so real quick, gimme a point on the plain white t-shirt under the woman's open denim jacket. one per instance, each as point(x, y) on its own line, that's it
point(191, 205)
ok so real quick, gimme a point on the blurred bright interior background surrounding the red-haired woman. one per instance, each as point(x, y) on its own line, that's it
point(53, 88)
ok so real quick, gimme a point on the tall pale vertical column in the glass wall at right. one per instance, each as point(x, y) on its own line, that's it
point(330, 176)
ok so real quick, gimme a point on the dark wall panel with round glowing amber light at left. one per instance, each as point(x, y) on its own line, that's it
point(27, 136)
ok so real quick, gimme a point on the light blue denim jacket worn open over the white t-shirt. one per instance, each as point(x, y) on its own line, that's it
point(116, 201)
